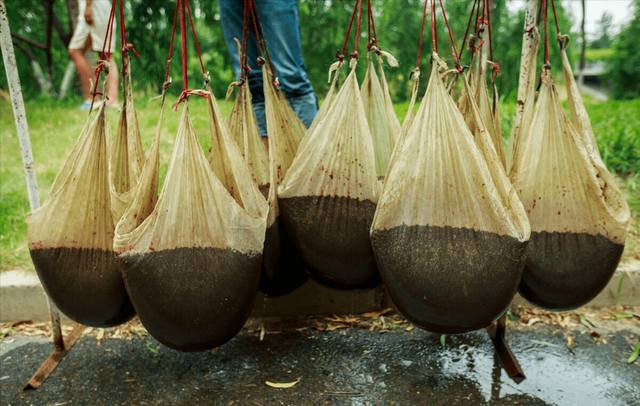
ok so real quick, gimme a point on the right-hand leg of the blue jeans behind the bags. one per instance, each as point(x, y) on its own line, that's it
point(282, 31)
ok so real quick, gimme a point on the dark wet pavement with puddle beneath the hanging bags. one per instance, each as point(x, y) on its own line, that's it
point(343, 367)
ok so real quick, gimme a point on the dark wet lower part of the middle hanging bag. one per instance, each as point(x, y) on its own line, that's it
point(339, 240)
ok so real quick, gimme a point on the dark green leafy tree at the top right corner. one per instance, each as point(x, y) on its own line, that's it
point(623, 67)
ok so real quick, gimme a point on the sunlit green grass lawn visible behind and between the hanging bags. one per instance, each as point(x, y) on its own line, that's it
point(54, 128)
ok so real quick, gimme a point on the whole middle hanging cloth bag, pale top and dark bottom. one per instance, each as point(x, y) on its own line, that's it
point(329, 194)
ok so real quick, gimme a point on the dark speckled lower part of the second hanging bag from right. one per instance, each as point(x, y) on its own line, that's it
point(459, 266)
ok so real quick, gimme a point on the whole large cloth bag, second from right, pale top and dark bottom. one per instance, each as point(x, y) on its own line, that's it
point(449, 233)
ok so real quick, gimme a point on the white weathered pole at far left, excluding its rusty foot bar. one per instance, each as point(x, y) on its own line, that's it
point(17, 102)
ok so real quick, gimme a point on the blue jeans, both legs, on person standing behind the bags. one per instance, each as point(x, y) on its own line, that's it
point(281, 28)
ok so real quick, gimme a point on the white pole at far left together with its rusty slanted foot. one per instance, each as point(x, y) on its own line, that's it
point(61, 345)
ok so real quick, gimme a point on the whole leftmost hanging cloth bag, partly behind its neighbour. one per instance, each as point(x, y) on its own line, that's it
point(71, 236)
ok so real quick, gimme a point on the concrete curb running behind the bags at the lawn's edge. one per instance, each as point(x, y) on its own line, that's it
point(22, 298)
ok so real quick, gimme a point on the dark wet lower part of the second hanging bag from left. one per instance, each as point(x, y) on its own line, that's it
point(168, 282)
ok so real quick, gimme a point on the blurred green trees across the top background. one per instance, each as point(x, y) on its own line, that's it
point(323, 25)
